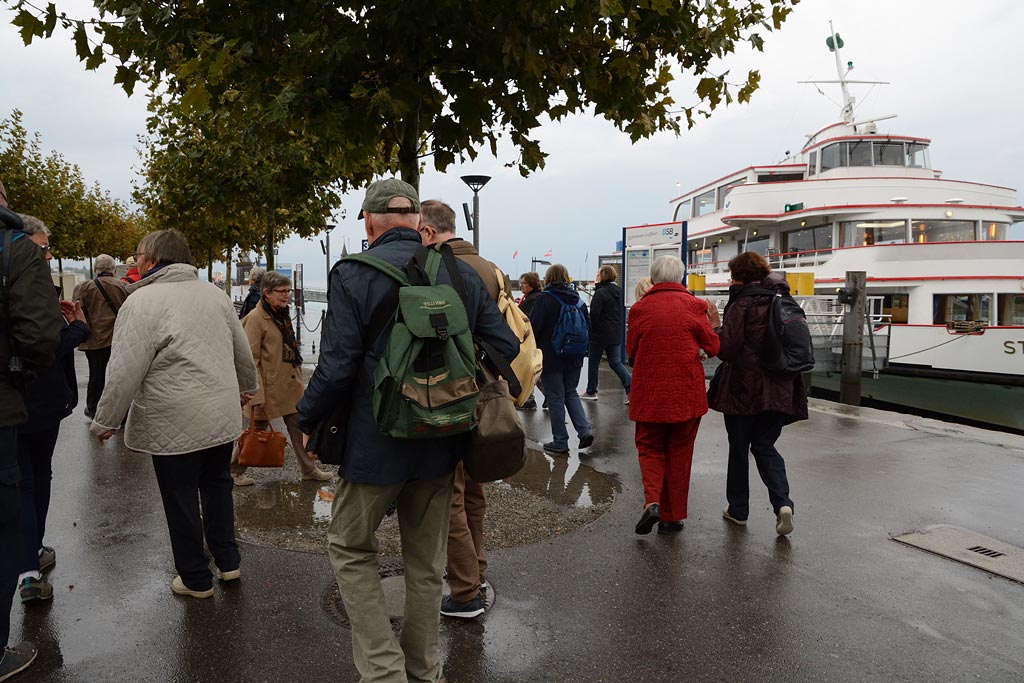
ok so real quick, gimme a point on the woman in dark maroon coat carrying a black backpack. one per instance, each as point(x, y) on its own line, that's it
point(757, 403)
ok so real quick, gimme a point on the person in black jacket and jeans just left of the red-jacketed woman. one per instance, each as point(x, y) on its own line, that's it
point(607, 332)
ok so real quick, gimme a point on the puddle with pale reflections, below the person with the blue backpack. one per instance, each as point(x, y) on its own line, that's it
point(564, 481)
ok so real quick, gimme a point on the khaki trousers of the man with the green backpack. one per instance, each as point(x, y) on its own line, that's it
point(423, 521)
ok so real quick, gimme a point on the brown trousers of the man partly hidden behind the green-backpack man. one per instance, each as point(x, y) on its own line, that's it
point(466, 564)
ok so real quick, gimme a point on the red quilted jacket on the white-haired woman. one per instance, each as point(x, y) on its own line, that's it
point(666, 330)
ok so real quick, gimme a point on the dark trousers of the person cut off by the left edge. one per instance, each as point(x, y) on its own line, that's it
point(11, 527)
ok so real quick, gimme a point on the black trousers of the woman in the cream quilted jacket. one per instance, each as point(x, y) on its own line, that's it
point(187, 482)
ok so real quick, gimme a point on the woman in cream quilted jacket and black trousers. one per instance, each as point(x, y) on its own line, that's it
point(182, 370)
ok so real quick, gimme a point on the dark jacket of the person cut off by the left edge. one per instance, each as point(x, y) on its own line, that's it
point(35, 318)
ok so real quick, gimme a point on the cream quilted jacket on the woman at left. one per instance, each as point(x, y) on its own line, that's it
point(180, 362)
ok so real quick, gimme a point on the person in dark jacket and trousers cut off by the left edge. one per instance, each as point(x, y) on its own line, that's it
point(30, 325)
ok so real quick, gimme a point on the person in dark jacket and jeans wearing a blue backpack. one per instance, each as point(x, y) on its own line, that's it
point(561, 375)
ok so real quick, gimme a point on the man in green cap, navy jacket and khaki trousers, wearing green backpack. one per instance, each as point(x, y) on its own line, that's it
point(377, 469)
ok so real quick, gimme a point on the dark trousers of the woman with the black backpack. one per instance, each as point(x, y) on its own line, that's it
point(756, 435)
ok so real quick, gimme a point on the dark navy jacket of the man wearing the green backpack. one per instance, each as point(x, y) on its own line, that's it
point(345, 369)
